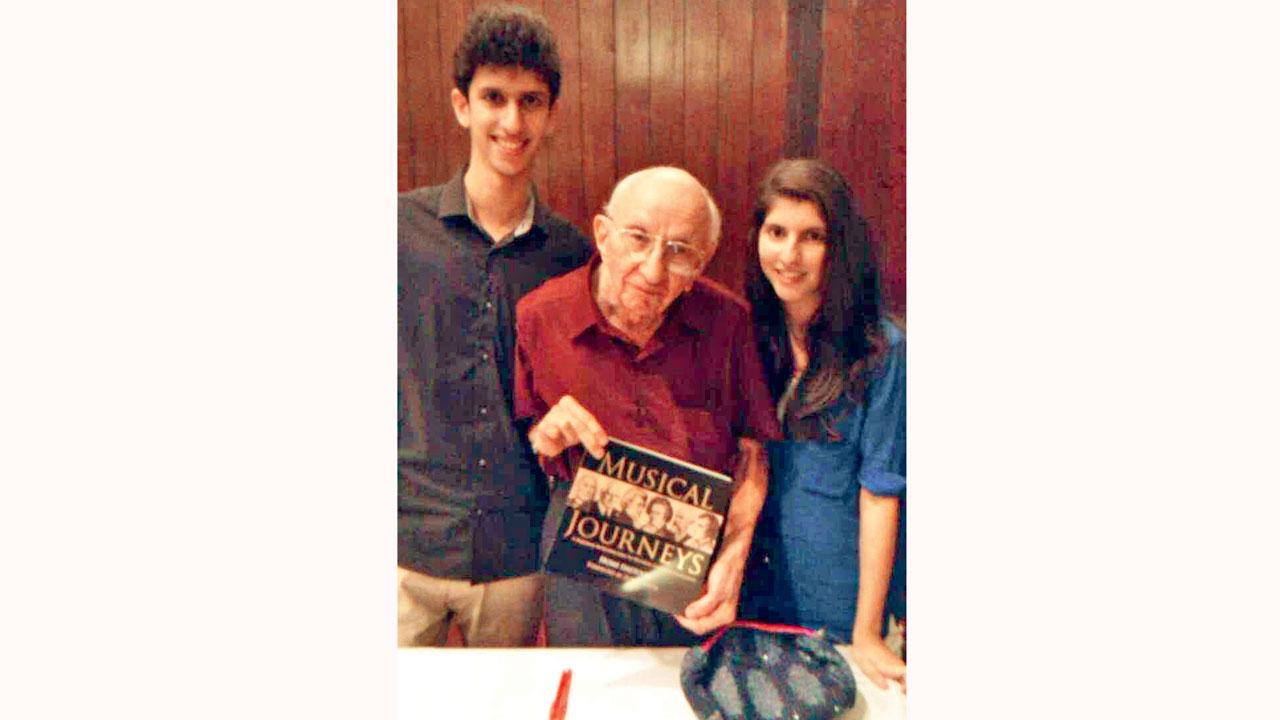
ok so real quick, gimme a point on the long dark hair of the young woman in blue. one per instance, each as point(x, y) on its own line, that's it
point(845, 335)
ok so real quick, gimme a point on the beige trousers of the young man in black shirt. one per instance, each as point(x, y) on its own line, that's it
point(500, 614)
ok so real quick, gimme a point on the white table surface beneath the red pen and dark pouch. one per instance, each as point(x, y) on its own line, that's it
point(609, 685)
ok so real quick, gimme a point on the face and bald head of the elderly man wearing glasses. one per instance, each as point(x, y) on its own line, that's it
point(634, 291)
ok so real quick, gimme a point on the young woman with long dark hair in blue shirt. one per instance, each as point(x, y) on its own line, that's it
point(838, 371)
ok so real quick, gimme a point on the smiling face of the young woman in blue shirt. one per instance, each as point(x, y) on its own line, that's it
point(793, 248)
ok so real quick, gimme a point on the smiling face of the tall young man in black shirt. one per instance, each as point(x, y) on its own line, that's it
point(508, 111)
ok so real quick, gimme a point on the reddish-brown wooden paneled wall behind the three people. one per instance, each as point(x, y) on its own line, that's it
point(721, 88)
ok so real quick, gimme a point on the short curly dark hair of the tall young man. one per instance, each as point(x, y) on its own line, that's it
point(506, 37)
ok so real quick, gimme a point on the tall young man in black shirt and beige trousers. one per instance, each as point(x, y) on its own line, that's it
point(472, 500)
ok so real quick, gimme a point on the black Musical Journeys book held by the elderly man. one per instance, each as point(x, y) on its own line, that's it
point(642, 526)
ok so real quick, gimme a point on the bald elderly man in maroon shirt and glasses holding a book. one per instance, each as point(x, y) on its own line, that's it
point(638, 347)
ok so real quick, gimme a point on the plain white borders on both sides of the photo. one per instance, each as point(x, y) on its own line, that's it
point(196, 407)
